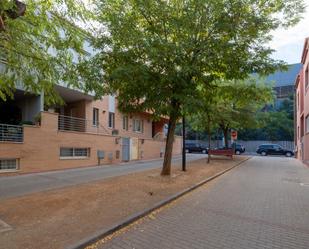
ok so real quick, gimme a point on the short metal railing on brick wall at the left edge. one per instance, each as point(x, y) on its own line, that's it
point(11, 133)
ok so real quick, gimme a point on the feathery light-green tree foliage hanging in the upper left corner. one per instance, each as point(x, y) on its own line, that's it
point(40, 45)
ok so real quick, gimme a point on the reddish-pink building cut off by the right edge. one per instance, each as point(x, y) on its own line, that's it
point(302, 108)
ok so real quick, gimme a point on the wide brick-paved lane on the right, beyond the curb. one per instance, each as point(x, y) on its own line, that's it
point(262, 204)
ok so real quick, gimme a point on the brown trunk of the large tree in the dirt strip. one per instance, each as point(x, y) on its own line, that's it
point(166, 169)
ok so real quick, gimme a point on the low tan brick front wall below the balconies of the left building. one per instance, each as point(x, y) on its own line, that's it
point(41, 147)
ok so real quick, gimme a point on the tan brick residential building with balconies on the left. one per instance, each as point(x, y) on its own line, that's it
point(82, 132)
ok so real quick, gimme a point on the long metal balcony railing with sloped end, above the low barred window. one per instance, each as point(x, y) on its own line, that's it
point(67, 123)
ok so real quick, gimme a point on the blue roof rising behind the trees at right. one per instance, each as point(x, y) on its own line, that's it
point(284, 78)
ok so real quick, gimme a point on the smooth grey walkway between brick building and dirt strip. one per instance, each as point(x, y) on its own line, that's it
point(13, 186)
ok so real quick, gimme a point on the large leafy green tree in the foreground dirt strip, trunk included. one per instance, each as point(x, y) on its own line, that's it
point(154, 54)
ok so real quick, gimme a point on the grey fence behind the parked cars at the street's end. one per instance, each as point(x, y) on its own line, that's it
point(250, 146)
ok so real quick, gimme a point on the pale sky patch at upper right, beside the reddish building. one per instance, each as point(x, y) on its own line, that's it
point(288, 43)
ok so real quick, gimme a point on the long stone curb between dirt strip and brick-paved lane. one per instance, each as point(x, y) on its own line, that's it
point(105, 232)
